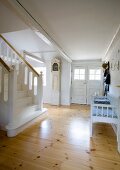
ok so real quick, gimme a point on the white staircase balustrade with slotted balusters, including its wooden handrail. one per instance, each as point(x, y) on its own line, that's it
point(21, 75)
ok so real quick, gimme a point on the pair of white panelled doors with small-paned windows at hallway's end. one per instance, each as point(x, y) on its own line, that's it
point(86, 82)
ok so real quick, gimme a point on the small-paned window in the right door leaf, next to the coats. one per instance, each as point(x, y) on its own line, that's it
point(95, 74)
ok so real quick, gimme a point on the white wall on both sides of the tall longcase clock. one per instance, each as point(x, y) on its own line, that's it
point(65, 80)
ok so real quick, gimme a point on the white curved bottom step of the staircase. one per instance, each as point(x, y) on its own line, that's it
point(22, 123)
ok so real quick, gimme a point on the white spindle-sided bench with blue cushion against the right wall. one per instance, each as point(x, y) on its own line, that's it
point(104, 109)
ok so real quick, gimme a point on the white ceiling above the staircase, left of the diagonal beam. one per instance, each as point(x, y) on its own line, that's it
point(13, 28)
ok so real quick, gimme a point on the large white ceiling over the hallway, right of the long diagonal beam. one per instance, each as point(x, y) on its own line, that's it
point(83, 28)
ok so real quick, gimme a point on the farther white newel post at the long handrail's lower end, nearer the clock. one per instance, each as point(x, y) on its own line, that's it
point(40, 92)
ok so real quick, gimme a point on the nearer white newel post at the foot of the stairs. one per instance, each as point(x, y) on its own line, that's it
point(12, 96)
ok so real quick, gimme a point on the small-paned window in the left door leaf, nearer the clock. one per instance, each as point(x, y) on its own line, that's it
point(79, 74)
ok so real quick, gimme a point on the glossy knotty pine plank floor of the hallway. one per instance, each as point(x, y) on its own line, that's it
point(61, 142)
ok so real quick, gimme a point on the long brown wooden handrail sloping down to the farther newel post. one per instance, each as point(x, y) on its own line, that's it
point(20, 56)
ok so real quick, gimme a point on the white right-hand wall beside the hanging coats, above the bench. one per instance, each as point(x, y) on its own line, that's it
point(113, 56)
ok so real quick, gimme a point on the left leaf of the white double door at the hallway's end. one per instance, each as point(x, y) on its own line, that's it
point(79, 85)
